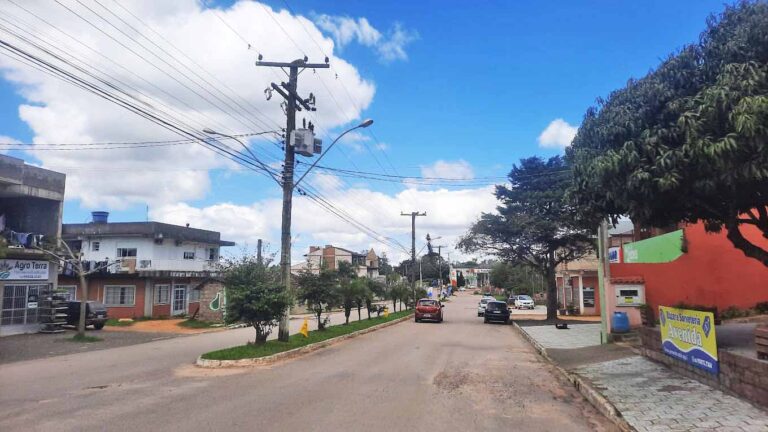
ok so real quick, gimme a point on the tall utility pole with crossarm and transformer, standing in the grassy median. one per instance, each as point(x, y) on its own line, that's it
point(294, 103)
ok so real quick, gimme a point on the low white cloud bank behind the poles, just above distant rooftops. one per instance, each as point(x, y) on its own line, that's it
point(449, 214)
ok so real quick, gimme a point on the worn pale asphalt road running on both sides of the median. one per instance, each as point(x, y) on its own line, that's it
point(458, 375)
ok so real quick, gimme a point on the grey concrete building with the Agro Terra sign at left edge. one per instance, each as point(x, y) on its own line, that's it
point(30, 217)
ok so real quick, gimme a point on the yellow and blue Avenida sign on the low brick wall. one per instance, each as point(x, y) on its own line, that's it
point(689, 336)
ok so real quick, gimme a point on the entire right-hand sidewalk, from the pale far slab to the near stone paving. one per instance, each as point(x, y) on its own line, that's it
point(644, 395)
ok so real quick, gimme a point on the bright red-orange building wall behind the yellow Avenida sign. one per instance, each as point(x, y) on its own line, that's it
point(711, 273)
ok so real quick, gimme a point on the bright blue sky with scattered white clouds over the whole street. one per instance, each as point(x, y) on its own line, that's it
point(473, 84)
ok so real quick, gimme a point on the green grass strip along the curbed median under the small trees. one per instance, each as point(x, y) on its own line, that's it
point(298, 340)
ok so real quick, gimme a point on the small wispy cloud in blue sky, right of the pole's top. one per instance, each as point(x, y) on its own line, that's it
point(389, 46)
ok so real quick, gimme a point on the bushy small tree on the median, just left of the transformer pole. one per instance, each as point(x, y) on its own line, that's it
point(255, 295)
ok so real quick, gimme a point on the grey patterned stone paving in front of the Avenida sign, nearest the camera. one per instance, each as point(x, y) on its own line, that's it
point(651, 397)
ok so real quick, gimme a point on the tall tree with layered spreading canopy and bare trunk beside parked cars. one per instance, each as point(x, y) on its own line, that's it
point(534, 223)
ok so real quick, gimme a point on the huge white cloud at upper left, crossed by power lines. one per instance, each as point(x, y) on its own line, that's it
point(58, 112)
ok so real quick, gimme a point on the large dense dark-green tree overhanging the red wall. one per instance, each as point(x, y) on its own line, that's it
point(689, 141)
